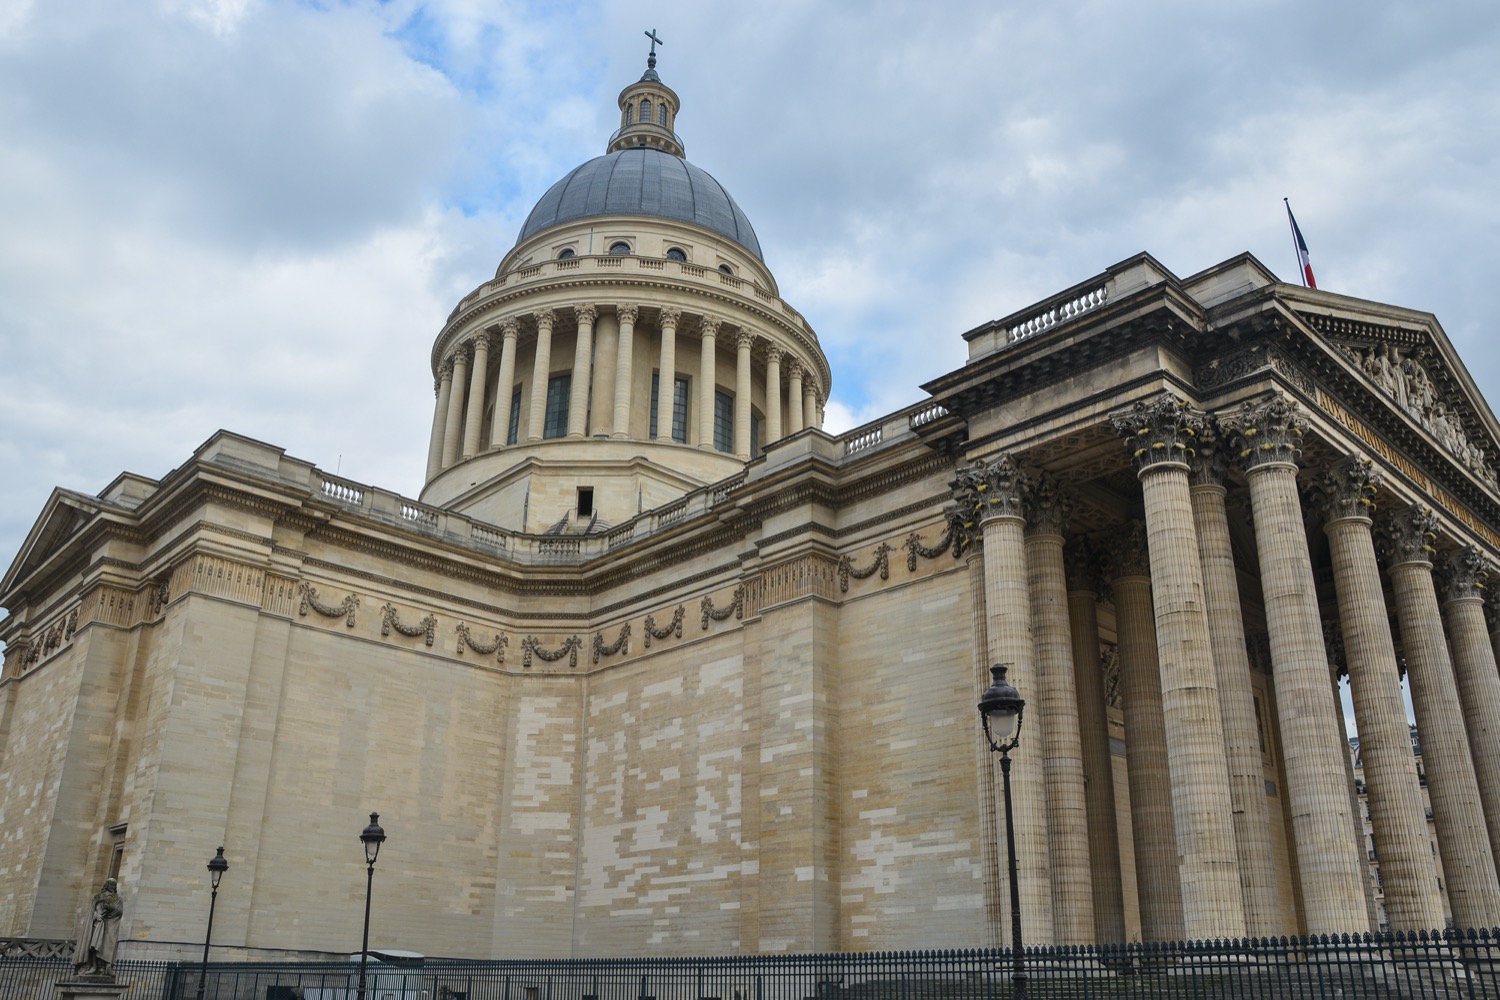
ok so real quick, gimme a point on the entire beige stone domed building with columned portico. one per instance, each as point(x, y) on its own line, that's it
point(656, 665)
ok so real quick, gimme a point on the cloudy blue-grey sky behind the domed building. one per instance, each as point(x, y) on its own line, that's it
point(257, 215)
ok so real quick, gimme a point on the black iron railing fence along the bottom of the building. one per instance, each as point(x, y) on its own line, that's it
point(1378, 968)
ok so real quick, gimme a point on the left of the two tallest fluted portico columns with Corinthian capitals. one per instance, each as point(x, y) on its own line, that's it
point(1163, 436)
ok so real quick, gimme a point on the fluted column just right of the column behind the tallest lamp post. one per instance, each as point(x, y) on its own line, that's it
point(1048, 506)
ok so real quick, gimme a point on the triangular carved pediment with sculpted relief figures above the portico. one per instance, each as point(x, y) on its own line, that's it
point(1414, 365)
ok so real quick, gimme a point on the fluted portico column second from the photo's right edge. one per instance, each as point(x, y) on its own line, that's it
point(1463, 840)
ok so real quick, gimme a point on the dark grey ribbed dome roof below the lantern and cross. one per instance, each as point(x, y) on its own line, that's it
point(643, 182)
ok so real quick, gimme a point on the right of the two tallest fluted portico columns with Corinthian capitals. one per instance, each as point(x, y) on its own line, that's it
point(1331, 864)
